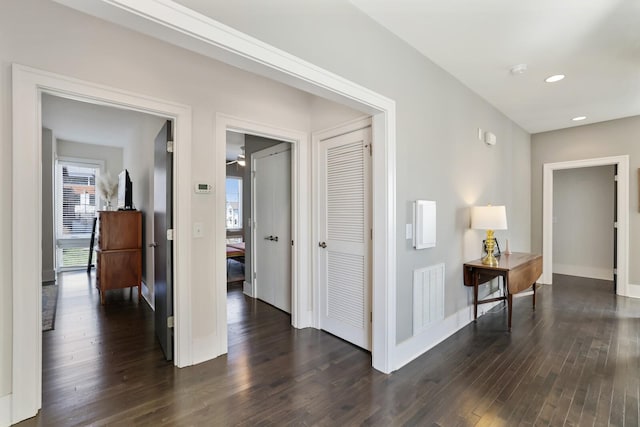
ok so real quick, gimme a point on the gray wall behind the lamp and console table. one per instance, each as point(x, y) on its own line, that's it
point(438, 154)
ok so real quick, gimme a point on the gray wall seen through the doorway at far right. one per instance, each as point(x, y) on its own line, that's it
point(583, 207)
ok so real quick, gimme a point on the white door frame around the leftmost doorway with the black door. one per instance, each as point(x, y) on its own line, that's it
point(28, 86)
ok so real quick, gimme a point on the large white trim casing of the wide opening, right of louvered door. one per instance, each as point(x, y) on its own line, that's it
point(174, 23)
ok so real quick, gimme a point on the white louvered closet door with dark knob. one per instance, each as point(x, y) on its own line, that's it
point(345, 237)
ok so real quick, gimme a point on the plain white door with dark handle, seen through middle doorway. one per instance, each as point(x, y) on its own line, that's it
point(272, 225)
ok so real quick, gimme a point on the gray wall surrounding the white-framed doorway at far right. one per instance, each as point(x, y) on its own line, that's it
point(612, 138)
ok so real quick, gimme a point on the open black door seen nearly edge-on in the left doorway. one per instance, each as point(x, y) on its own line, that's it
point(163, 253)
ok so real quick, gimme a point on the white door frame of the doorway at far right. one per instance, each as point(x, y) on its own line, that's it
point(623, 215)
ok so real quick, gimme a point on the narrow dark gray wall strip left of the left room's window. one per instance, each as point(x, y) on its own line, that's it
point(48, 221)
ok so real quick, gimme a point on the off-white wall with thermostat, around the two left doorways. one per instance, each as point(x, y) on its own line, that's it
point(44, 35)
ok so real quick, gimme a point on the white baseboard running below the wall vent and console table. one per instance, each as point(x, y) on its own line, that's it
point(417, 345)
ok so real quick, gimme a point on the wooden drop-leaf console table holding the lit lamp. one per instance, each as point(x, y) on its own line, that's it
point(519, 271)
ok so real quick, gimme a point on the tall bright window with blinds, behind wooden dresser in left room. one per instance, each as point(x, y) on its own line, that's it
point(76, 205)
